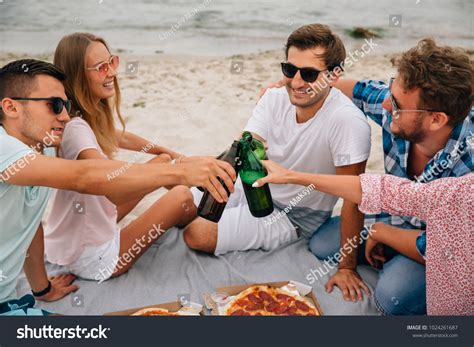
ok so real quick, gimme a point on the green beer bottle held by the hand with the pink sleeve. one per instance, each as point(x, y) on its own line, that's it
point(251, 169)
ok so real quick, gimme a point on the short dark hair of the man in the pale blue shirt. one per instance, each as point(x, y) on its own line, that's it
point(17, 79)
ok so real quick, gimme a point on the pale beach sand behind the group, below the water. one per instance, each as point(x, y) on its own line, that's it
point(198, 105)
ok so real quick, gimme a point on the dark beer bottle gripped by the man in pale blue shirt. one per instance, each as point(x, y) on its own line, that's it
point(209, 208)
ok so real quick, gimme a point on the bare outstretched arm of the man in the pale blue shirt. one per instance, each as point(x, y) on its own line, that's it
point(119, 180)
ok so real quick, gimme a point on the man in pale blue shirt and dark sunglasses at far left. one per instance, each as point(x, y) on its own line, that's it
point(33, 114)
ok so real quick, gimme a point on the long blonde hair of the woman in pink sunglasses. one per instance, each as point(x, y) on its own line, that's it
point(70, 57)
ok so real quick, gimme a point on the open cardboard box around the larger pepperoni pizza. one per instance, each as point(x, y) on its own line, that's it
point(305, 291)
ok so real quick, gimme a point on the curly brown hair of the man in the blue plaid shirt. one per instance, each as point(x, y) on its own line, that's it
point(444, 76)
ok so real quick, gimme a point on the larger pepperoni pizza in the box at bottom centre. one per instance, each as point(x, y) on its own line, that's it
point(262, 300)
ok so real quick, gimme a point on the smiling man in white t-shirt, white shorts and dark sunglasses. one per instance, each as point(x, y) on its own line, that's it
point(310, 127)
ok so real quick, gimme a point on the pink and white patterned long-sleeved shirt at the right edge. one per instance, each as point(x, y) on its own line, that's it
point(447, 207)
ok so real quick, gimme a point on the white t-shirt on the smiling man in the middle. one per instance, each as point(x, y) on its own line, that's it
point(337, 135)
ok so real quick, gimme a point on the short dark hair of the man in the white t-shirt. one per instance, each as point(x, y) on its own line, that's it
point(314, 35)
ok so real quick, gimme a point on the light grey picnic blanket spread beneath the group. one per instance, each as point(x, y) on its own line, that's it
point(169, 269)
